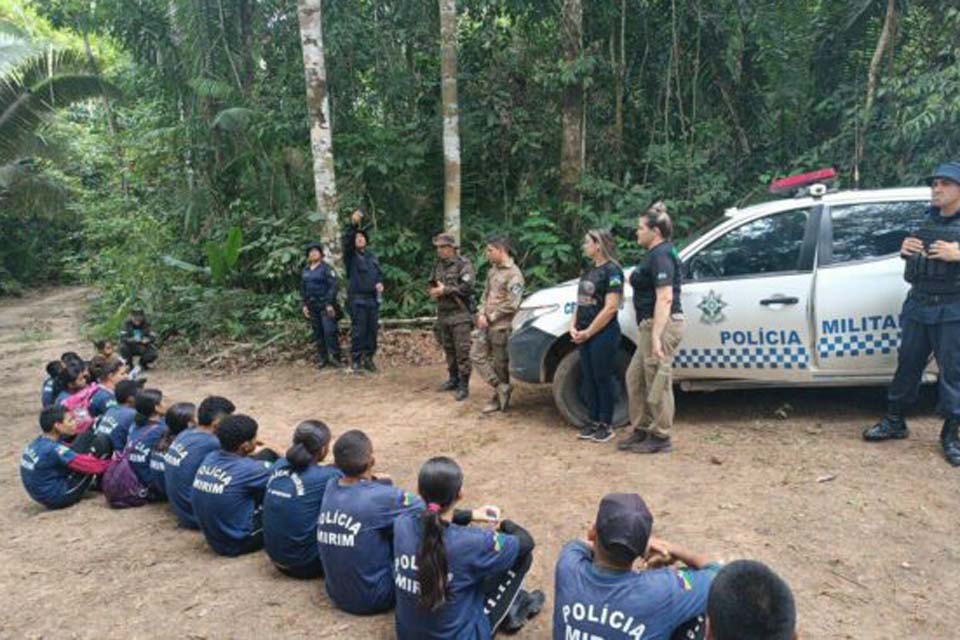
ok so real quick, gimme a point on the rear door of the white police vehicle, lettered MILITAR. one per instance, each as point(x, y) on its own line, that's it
point(860, 287)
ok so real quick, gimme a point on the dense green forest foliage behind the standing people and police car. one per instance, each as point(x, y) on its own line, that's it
point(212, 145)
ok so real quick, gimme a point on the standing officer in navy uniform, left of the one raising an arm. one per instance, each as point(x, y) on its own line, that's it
point(318, 288)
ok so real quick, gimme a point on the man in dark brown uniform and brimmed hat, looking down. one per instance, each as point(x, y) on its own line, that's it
point(451, 285)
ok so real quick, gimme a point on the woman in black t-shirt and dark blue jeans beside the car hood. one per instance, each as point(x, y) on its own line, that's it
point(595, 329)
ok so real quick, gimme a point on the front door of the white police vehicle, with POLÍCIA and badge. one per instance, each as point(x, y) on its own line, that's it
point(746, 297)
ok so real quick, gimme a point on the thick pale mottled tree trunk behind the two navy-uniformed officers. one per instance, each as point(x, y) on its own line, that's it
point(321, 139)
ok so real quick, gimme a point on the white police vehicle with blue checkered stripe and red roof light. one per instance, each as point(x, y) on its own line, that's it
point(802, 291)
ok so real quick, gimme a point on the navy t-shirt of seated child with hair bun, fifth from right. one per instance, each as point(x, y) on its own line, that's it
point(291, 507)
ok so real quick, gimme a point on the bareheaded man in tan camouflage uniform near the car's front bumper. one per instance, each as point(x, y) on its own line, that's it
point(499, 303)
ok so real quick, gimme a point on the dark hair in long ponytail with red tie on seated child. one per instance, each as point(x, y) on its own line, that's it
point(439, 485)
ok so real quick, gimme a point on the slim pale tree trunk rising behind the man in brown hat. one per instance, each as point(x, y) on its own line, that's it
point(451, 118)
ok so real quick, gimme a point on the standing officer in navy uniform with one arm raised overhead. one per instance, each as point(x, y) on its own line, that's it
point(364, 291)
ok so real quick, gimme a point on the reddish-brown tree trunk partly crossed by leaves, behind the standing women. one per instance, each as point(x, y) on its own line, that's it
point(571, 156)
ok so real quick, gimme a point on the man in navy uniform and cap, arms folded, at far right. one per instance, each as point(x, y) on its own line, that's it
point(931, 316)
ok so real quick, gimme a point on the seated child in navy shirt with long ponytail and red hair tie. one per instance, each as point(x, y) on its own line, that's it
point(455, 581)
